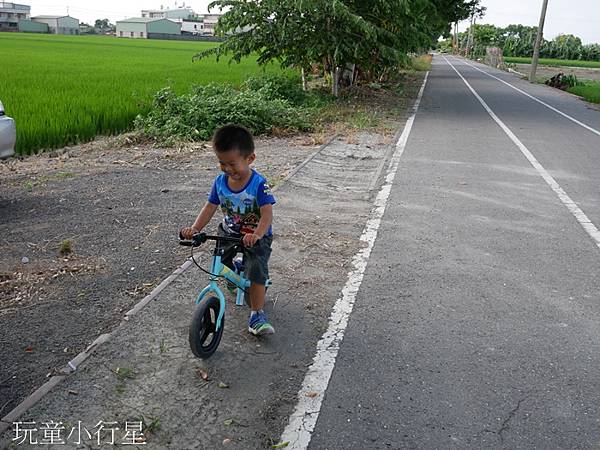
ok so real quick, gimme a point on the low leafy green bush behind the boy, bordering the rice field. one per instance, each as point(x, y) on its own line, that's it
point(259, 106)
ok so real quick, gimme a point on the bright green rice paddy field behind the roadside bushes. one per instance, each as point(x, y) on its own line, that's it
point(67, 89)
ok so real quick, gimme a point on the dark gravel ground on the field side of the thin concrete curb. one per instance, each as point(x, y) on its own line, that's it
point(120, 209)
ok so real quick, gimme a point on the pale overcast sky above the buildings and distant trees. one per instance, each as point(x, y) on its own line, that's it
point(579, 17)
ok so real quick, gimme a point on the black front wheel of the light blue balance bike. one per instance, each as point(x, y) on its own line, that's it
point(204, 336)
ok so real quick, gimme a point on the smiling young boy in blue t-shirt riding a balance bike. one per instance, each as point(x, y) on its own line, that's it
point(246, 201)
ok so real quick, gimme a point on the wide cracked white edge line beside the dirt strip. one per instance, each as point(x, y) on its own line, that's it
point(304, 418)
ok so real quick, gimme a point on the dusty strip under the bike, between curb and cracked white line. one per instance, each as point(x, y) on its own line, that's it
point(320, 214)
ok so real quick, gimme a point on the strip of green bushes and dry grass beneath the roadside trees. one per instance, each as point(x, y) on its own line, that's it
point(276, 104)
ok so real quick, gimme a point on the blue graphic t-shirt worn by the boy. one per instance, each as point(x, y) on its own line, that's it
point(241, 209)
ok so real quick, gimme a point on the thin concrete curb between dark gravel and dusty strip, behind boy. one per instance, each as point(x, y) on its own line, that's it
point(7, 421)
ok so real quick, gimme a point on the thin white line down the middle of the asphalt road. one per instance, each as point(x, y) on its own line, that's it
point(585, 222)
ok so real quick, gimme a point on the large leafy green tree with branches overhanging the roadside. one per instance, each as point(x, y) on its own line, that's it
point(371, 37)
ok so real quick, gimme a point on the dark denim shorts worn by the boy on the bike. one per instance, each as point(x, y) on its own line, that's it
point(256, 258)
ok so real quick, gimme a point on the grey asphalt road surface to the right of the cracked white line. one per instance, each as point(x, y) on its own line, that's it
point(477, 324)
